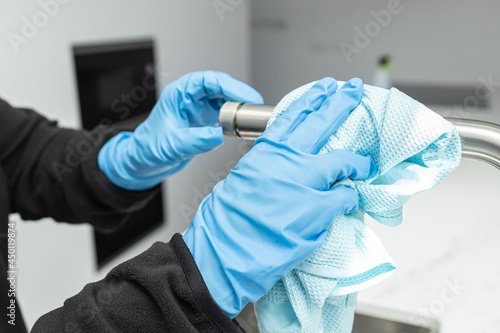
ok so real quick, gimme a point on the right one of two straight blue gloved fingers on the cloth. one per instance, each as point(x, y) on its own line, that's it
point(313, 133)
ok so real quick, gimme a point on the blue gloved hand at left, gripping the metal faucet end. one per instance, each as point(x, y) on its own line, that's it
point(180, 126)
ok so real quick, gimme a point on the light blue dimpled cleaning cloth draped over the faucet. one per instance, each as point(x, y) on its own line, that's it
point(414, 149)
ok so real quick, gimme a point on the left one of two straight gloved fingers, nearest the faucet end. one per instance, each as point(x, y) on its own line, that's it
point(299, 109)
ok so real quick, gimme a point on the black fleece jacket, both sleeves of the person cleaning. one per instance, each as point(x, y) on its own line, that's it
point(50, 171)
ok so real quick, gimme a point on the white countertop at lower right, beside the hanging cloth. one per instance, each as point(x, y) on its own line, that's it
point(448, 255)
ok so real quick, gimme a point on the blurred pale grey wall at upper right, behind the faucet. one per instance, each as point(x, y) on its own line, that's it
point(433, 42)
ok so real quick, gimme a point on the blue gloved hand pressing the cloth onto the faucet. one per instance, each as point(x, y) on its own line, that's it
point(272, 211)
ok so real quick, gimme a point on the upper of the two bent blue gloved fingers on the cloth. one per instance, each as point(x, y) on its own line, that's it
point(340, 164)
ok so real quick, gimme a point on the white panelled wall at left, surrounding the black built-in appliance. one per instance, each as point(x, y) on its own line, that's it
point(55, 261)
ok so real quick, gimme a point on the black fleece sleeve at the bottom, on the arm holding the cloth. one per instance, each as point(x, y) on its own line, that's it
point(161, 290)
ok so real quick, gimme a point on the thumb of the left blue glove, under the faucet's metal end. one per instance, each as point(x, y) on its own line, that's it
point(198, 140)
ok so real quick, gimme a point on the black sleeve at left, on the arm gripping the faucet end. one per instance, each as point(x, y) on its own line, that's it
point(53, 172)
